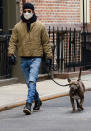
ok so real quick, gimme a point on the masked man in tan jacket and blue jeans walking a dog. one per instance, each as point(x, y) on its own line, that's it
point(30, 37)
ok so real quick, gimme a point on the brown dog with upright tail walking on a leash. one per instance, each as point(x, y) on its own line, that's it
point(76, 93)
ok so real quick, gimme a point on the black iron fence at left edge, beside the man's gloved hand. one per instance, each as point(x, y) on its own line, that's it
point(5, 68)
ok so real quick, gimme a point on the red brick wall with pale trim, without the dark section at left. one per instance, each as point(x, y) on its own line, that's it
point(62, 12)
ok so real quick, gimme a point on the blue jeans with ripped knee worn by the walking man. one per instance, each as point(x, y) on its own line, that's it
point(30, 68)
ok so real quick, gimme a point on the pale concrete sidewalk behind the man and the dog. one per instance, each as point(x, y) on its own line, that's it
point(15, 94)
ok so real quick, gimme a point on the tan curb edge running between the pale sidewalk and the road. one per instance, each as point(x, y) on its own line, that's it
point(45, 98)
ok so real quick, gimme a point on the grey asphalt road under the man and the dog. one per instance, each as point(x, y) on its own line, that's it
point(55, 115)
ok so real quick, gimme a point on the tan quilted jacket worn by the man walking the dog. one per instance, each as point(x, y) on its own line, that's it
point(30, 44)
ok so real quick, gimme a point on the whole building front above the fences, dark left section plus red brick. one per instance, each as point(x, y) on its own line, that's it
point(71, 13)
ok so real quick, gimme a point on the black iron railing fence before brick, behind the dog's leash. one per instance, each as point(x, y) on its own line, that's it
point(71, 49)
